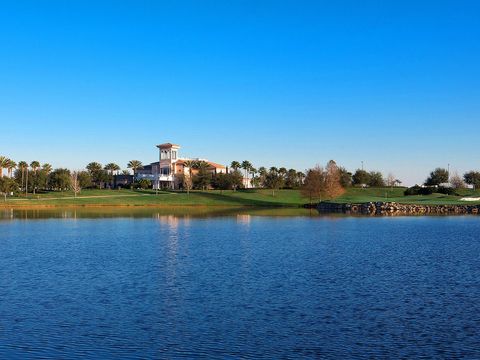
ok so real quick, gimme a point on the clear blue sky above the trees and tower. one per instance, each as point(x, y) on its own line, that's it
point(287, 83)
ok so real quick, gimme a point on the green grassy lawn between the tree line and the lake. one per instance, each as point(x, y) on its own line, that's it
point(257, 198)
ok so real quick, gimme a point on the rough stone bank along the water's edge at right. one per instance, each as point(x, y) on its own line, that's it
point(396, 209)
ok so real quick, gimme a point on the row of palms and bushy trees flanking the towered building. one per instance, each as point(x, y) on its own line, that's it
point(24, 178)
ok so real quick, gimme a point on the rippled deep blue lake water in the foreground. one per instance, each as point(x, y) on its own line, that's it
point(245, 285)
